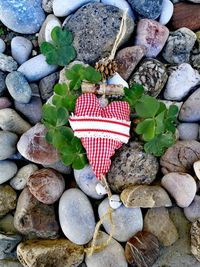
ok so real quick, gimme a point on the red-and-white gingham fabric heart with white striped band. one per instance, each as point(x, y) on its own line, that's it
point(102, 130)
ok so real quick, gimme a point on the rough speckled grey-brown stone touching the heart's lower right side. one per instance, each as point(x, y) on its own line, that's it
point(130, 166)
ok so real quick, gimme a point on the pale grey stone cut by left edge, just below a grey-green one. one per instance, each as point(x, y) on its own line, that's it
point(8, 169)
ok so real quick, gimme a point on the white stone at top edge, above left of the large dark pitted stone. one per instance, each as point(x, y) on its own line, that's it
point(62, 8)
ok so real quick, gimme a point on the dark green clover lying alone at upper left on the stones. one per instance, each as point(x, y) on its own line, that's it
point(60, 51)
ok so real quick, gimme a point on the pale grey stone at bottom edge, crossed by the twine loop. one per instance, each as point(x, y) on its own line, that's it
point(112, 255)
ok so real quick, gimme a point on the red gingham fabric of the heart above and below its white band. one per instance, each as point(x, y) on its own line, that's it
point(100, 150)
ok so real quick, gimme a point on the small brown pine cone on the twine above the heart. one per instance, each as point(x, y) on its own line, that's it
point(107, 68)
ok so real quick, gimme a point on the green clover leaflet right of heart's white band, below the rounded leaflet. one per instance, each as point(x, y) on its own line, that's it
point(146, 128)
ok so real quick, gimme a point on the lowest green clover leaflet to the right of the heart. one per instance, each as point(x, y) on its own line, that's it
point(159, 144)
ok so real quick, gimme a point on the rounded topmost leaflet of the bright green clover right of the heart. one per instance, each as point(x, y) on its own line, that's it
point(147, 107)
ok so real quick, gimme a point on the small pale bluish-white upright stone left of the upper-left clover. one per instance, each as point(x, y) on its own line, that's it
point(21, 49)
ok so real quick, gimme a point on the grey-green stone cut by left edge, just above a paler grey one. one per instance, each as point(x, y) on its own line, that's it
point(8, 143)
